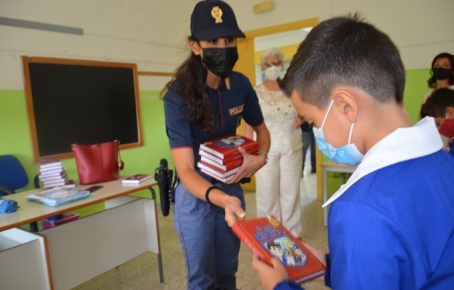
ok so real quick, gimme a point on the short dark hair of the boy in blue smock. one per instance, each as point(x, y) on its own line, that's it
point(345, 51)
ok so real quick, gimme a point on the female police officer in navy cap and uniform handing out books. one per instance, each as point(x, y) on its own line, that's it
point(203, 101)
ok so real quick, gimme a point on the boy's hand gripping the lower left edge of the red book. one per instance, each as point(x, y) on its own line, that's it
point(270, 276)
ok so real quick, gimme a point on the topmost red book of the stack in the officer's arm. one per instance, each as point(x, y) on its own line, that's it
point(227, 146)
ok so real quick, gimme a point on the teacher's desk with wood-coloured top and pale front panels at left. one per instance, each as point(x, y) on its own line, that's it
point(68, 255)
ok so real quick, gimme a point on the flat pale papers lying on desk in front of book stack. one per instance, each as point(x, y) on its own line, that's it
point(59, 195)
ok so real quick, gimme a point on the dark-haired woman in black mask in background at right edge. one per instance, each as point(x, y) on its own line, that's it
point(442, 73)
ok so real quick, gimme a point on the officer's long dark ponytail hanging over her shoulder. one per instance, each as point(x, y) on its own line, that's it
point(190, 79)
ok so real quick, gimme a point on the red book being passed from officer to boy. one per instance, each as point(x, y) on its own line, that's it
point(266, 237)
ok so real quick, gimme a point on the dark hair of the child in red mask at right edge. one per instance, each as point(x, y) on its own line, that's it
point(437, 103)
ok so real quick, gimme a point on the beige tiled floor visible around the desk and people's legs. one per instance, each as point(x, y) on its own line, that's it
point(142, 273)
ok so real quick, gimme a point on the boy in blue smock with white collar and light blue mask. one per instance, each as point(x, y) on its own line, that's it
point(391, 226)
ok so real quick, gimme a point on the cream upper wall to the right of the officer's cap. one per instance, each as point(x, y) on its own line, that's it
point(421, 29)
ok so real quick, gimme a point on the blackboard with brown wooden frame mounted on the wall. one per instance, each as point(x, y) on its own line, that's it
point(80, 101)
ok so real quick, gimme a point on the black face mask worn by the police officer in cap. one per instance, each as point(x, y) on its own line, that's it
point(220, 61)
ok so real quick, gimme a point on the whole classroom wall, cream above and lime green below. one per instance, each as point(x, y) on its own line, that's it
point(153, 35)
